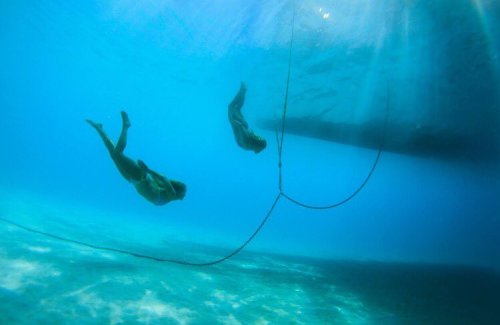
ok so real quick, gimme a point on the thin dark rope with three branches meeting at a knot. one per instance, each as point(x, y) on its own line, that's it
point(263, 222)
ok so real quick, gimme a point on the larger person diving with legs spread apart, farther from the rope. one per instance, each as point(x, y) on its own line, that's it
point(151, 185)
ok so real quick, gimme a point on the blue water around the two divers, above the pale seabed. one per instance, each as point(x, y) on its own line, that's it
point(174, 67)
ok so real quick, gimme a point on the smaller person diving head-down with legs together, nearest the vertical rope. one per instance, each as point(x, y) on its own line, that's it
point(245, 137)
